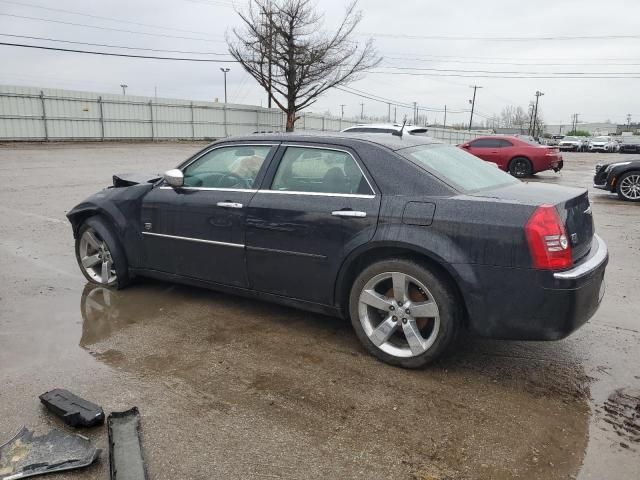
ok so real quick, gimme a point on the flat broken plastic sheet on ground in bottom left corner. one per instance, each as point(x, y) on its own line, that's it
point(27, 454)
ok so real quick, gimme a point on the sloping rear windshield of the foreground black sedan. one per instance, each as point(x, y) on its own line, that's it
point(457, 168)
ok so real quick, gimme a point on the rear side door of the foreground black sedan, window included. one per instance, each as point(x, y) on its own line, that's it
point(316, 205)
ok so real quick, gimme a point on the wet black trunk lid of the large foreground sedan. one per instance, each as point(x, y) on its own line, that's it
point(572, 205)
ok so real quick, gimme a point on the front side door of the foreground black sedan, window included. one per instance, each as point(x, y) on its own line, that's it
point(197, 230)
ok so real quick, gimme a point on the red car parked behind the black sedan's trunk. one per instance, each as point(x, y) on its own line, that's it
point(519, 157)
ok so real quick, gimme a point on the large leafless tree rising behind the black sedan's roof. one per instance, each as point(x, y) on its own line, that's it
point(282, 45)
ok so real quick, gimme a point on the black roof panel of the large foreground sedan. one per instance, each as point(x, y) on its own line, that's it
point(392, 142)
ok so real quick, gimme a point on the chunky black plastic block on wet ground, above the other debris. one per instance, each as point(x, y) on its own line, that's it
point(73, 410)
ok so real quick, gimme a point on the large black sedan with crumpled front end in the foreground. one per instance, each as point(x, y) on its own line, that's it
point(411, 239)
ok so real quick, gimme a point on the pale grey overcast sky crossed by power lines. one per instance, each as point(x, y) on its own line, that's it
point(203, 23)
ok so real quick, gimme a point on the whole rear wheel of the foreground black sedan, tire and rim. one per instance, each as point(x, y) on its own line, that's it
point(385, 338)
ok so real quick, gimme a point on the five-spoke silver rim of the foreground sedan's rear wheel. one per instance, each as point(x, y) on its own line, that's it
point(399, 314)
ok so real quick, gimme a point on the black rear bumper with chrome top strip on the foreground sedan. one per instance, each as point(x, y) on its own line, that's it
point(527, 304)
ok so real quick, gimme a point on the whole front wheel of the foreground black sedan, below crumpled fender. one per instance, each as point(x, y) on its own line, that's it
point(102, 252)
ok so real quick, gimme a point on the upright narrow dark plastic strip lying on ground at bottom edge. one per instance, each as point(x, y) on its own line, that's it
point(126, 461)
